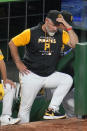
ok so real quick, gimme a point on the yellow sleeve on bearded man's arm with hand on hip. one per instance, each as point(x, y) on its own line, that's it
point(22, 39)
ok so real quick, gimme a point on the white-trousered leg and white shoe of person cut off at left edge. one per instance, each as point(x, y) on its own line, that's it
point(6, 118)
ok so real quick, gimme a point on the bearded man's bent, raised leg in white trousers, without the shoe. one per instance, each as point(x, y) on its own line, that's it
point(62, 83)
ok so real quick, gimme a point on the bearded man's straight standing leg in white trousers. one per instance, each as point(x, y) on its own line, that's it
point(30, 86)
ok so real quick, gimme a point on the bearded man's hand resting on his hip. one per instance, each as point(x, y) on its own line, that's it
point(22, 68)
